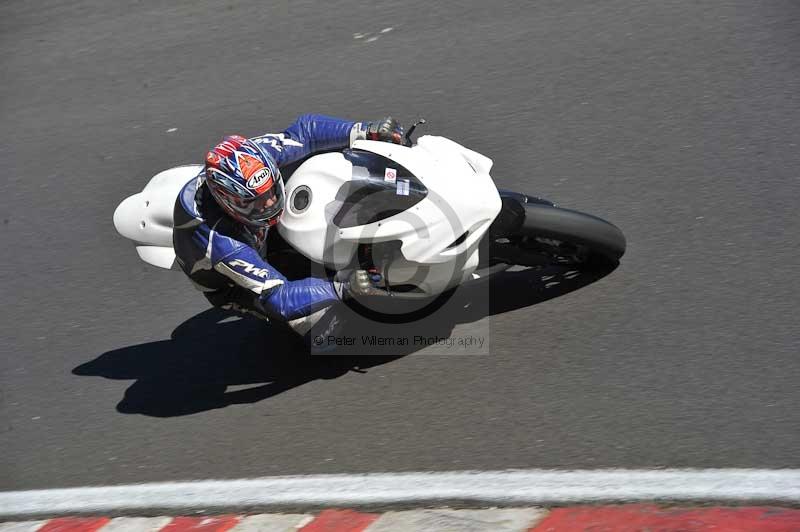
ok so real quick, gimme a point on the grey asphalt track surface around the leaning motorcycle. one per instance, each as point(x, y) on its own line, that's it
point(675, 120)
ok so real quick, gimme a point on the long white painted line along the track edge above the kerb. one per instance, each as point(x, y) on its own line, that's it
point(515, 487)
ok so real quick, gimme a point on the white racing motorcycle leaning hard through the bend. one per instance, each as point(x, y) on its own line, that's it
point(427, 217)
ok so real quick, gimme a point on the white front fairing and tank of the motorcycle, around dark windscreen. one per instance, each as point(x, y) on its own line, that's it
point(440, 232)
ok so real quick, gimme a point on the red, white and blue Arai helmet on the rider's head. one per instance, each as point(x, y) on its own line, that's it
point(245, 181)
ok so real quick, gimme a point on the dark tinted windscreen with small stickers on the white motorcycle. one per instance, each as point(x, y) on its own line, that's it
point(380, 188)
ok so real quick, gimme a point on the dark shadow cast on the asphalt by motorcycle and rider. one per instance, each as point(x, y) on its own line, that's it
point(215, 359)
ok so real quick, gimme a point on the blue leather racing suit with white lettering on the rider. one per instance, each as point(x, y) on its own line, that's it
point(227, 260)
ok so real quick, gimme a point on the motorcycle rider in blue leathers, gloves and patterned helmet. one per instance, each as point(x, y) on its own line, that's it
point(222, 217)
